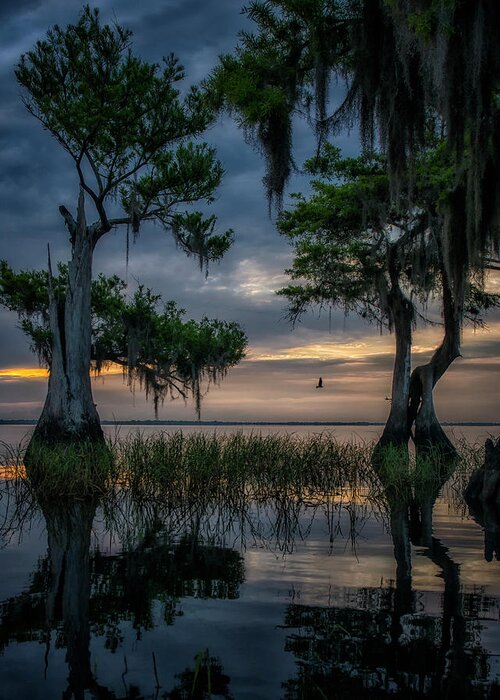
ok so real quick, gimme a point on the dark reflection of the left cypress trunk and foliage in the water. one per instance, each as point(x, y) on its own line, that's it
point(75, 595)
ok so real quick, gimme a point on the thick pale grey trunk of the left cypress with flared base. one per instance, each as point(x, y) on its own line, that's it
point(69, 412)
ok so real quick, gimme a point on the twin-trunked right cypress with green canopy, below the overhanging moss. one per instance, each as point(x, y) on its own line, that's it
point(354, 248)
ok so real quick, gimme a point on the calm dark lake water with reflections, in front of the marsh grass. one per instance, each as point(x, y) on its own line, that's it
point(309, 596)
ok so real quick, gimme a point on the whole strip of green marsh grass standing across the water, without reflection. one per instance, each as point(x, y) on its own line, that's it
point(175, 467)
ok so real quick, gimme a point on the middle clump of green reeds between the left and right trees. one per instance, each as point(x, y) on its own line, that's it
point(259, 463)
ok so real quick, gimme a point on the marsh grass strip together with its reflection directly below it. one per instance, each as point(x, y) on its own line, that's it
point(262, 490)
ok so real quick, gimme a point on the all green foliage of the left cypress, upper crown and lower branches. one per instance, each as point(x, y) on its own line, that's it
point(134, 138)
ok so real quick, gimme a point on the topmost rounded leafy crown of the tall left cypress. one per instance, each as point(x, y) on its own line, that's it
point(97, 98)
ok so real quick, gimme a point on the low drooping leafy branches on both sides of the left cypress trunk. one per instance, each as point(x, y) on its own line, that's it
point(150, 340)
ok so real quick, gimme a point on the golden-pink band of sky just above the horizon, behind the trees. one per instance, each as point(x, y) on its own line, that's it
point(277, 380)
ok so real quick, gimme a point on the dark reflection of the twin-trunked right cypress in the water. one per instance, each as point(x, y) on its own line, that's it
point(388, 645)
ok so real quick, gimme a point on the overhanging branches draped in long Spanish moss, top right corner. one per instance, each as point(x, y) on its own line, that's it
point(409, 69)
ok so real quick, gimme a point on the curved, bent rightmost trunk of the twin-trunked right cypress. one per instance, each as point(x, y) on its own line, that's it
point(429, 435)
